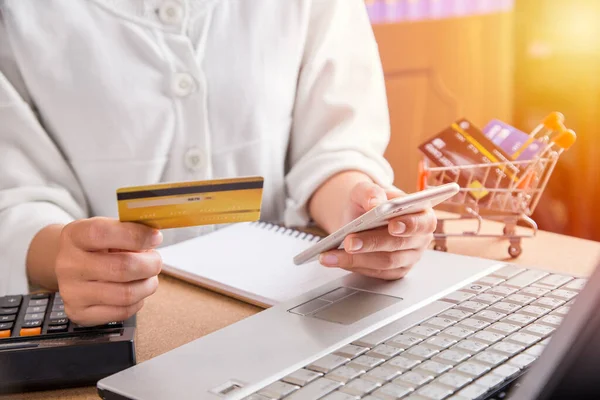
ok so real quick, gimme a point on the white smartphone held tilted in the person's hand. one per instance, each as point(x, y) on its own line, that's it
point(379, 216)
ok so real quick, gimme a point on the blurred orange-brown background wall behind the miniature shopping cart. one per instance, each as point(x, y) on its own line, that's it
point(515, 60)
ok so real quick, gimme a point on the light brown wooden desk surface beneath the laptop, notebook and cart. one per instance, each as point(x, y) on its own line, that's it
point(179, 312)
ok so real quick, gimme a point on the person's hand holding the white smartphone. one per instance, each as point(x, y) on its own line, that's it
point(387, 252)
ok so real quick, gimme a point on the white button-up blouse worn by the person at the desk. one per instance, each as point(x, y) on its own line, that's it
point(100, 94)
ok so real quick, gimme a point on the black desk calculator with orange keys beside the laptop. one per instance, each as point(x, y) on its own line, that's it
point(41, 349)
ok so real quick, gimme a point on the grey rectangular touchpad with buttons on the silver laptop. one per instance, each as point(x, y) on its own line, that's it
point(345, 305)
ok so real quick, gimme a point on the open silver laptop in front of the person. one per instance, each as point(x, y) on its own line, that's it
point(455, 328)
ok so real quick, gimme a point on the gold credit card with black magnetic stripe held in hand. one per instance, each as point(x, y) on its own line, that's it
point(182, 204)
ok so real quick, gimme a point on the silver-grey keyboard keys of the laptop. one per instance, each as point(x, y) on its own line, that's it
point(490, 333)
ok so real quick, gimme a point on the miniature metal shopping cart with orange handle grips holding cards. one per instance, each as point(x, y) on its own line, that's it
point(512, 205)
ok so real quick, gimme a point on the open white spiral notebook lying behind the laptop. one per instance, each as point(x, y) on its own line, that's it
point(249, 261)
